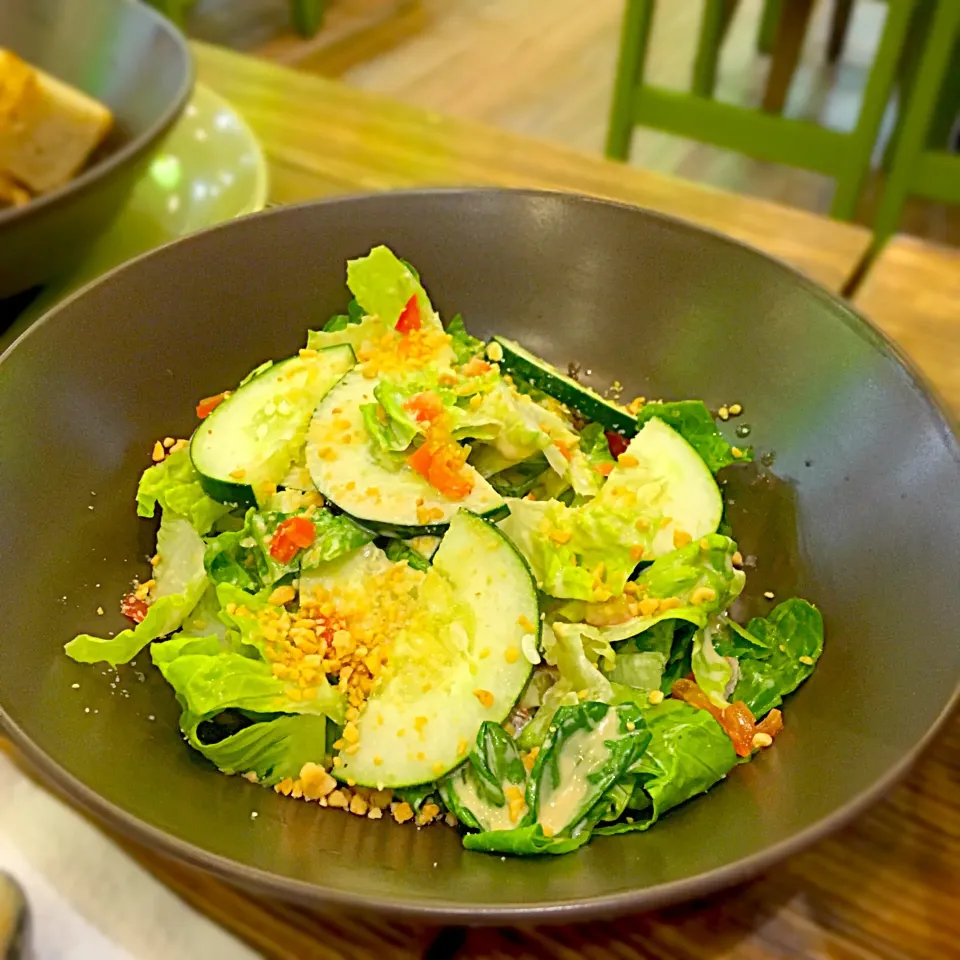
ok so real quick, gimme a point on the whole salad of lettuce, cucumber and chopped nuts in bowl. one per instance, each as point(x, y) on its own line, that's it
point(408, 573)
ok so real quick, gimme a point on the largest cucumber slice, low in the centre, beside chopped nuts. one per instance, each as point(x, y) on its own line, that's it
point(478, 603)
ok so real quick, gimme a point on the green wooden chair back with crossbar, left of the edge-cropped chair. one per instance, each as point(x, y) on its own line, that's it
point(764, 136)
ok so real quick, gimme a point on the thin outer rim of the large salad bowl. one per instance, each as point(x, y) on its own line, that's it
point(450, 912)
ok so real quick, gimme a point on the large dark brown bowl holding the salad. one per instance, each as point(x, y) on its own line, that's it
point(860, 513)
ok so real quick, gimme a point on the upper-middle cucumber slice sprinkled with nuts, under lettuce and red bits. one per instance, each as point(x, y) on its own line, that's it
point(347, 472)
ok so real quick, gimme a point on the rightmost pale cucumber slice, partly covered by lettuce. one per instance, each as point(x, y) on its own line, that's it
point(690, 499)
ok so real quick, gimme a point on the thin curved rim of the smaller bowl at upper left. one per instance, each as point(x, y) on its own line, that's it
point(136, 147)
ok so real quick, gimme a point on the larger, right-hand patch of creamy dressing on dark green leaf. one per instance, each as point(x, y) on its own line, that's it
point(582, 753)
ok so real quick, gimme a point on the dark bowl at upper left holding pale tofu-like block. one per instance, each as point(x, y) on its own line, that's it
point(130, 58)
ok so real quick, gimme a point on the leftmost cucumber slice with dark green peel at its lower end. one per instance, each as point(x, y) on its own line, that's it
point(252, 439)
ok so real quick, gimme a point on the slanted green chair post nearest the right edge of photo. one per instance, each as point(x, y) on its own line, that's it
point(934, 67)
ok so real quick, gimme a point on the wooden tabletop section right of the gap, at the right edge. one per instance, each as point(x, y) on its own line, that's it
point(912, 292)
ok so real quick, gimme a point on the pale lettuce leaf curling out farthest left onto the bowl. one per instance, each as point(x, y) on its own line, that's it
point(181, 581)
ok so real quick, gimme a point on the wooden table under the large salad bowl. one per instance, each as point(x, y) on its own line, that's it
point(886, 887)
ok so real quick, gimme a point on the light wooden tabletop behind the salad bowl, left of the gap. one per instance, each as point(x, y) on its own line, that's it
point(323, 138)
